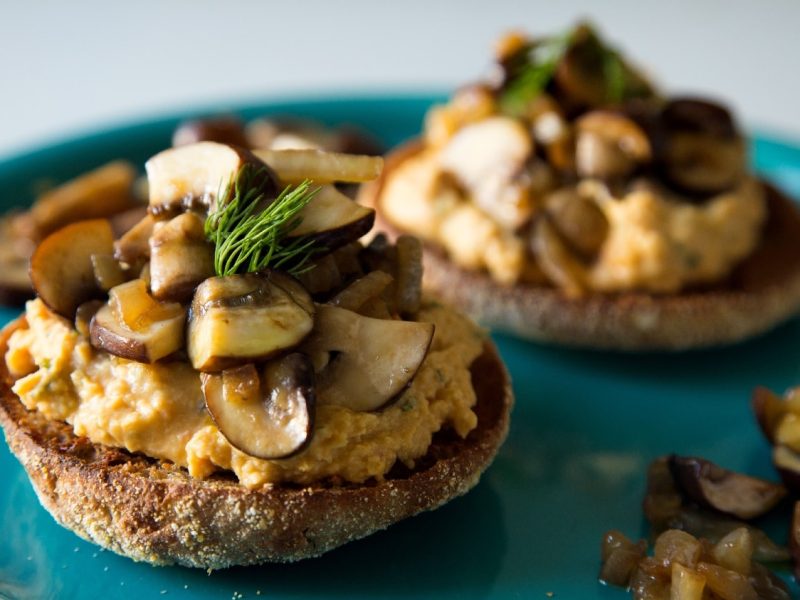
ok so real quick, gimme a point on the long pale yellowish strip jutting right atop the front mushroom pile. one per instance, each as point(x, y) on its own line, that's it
point(294, 166)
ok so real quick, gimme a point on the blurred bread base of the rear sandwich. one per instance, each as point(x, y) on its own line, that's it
point(761, 293)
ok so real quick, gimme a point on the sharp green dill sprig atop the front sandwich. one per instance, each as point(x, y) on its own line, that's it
point(249, 236)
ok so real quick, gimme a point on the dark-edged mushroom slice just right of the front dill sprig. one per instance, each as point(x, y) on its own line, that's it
point(333, 220)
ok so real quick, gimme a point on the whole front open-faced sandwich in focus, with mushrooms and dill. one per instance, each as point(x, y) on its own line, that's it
point(237, 379)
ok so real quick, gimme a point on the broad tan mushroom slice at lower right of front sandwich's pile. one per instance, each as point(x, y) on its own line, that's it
point(369, 361)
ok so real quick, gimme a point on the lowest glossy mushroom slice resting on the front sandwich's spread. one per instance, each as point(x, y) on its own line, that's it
point(267, 416)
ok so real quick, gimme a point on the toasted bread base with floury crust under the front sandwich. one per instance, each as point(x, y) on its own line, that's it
point(154, 511)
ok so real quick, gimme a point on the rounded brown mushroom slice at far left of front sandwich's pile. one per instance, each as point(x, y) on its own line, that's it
point(61, 267)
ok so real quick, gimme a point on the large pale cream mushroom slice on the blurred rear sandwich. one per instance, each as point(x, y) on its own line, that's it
point(487, 158)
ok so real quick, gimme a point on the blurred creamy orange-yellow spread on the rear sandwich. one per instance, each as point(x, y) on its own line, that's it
point(656, 241)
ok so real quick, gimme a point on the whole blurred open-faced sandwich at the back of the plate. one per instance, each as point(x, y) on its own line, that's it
point(567, 200)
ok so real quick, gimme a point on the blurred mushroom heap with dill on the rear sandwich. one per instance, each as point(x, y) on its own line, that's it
point(561, 111)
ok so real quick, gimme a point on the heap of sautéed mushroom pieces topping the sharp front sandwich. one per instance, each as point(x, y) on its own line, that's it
point(267, 345)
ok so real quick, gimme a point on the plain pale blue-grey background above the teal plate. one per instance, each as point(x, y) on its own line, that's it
point(69, 66)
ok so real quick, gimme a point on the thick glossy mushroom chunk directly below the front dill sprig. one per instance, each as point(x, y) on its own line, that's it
point(245, 318)
